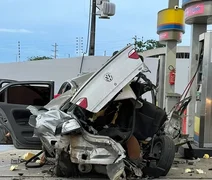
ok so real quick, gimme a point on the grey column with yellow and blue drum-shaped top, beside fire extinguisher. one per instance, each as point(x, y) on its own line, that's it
point(170, 27)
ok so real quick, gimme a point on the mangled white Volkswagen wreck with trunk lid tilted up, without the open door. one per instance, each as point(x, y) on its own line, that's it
point(102, 125)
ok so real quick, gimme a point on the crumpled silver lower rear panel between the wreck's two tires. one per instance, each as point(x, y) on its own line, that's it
point(97, 149)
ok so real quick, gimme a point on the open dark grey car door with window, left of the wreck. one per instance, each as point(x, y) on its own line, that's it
point(15, 97)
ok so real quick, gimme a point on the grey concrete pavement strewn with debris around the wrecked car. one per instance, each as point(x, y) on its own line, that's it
point(9, 152)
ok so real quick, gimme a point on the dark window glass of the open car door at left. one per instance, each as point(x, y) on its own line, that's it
point(38, 95)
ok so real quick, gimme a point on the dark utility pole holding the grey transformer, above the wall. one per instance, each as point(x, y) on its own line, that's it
point(93, 30)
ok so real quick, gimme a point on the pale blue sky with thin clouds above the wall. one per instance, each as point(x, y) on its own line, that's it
point(40, 24)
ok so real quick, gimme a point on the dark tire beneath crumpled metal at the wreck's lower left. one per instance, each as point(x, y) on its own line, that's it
point(64, 167)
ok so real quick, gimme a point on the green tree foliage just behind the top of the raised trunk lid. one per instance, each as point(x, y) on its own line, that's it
point(142, 45)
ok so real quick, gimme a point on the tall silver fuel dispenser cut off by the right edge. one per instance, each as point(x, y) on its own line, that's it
point(203, 104)
